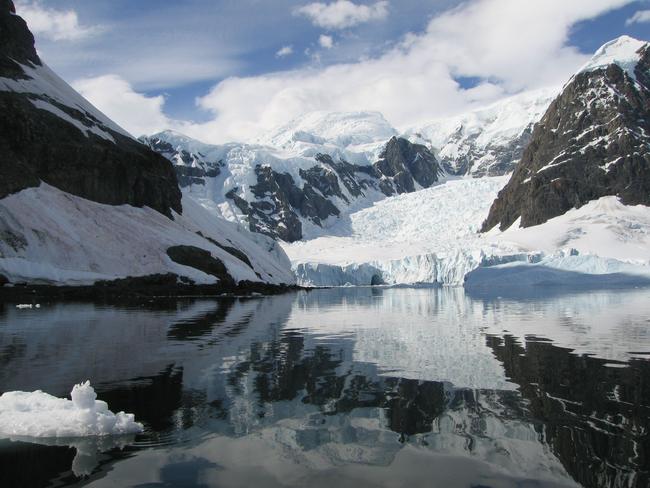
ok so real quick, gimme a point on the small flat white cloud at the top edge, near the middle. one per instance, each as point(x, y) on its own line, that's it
point(342, 13)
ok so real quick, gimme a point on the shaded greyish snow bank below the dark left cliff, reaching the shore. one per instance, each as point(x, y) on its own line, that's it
point(56, 238)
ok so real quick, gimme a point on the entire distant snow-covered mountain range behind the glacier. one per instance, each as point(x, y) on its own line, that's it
point(300, 180)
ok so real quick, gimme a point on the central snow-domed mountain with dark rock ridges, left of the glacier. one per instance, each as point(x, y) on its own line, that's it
point(307, 183)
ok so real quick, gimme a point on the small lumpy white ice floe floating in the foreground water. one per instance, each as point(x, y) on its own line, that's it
point(40, 415)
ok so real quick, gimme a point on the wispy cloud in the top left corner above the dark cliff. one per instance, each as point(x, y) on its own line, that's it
point(58, 25)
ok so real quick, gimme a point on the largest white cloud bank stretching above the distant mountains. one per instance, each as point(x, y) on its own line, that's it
point(411, 83)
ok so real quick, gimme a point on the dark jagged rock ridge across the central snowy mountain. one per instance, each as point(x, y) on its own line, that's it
point(281, 204)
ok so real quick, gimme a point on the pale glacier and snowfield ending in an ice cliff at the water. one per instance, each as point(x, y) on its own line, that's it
point(431, 237)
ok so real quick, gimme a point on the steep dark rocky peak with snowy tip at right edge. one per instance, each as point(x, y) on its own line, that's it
point(592, 142)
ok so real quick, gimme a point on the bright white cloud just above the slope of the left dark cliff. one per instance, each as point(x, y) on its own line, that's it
point(115, 97)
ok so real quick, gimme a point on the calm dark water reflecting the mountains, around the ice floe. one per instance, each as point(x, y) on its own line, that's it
point(345, 388)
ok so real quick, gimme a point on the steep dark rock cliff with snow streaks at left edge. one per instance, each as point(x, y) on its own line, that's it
point(49, 133)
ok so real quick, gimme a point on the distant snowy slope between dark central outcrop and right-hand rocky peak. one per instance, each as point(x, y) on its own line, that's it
point(488, 141)
